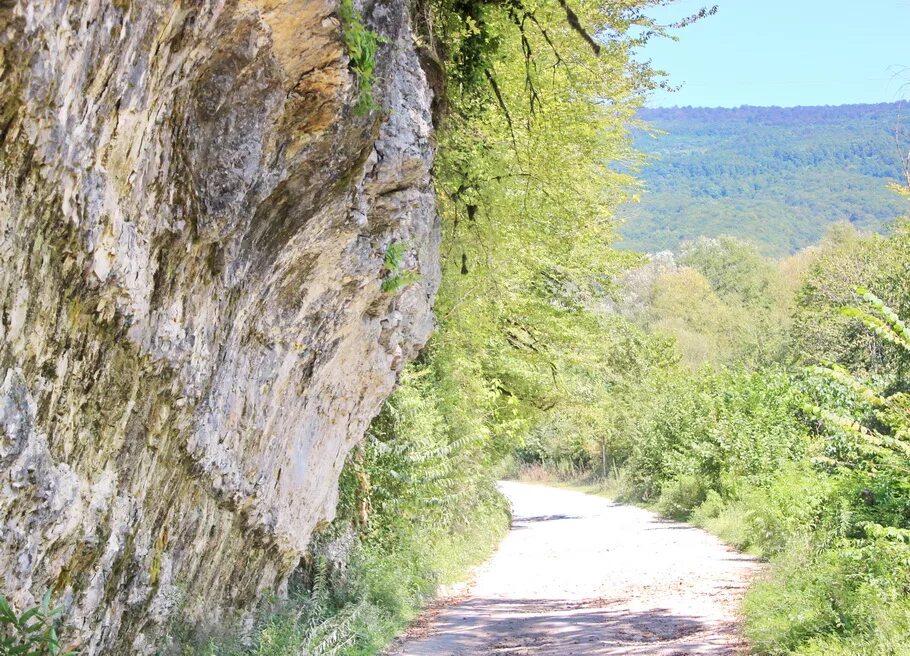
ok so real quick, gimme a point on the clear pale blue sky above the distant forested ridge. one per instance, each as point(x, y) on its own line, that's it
point(785, 53)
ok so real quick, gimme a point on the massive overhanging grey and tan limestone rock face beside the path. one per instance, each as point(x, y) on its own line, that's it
point(193, 333)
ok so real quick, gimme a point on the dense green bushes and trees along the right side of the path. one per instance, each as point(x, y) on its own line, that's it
point(801, 456)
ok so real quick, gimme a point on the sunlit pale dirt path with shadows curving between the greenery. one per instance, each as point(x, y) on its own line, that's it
point(580, 575)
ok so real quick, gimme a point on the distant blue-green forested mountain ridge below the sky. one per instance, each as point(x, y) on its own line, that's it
point(775, 176)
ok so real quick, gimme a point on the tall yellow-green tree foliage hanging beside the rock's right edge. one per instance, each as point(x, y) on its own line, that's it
point(528, 178)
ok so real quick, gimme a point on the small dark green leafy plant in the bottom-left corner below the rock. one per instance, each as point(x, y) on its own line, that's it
point(33, 633)
